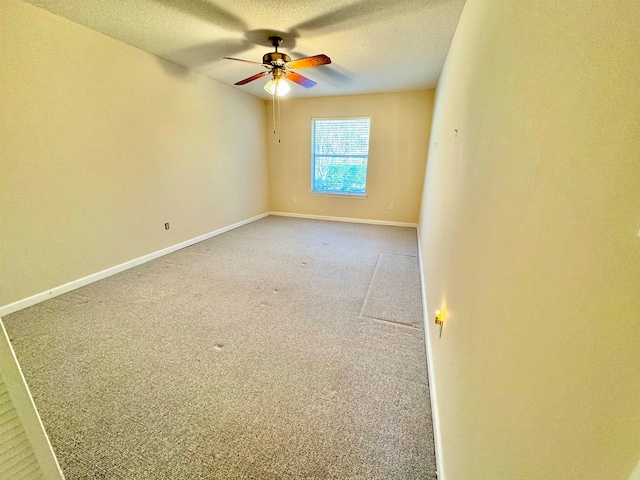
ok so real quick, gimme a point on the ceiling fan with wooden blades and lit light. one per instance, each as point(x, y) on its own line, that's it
point(280, 66)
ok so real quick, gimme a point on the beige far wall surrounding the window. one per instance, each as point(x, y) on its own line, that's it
point(400, 126)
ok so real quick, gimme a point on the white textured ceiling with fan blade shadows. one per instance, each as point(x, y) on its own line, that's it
point(375, 45)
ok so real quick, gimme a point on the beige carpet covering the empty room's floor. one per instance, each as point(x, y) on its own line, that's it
point(286, 348)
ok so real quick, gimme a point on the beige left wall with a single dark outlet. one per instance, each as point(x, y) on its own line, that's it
point(101, 144)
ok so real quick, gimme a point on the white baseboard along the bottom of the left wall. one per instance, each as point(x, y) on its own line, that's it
point(94, 277)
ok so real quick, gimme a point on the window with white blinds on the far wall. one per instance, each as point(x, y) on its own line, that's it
point(339, 154)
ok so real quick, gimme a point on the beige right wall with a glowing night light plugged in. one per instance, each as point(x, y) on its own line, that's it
point(528, 231)
